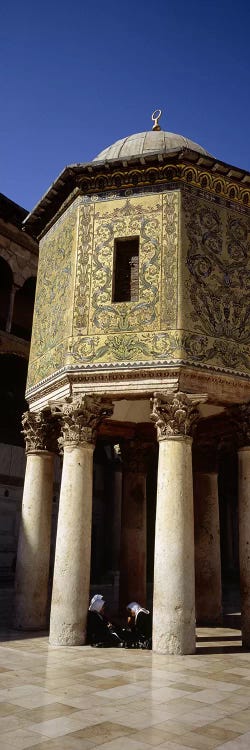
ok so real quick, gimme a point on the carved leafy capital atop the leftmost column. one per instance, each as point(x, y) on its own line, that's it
point(39, 430)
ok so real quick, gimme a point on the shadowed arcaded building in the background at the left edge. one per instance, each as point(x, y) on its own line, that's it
point(18, 269)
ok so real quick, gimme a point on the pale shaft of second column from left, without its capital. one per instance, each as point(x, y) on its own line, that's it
point(70, 595)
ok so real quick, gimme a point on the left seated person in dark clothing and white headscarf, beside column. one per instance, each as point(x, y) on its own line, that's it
point(100, 632)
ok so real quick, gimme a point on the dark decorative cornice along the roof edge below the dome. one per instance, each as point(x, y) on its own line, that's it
point(203, 172)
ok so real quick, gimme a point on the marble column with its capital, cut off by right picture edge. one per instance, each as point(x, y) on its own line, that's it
point(242, 415)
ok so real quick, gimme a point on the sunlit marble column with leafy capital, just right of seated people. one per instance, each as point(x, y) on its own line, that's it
point(175, 417)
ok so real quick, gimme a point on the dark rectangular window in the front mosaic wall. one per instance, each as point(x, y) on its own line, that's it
point(126, 270)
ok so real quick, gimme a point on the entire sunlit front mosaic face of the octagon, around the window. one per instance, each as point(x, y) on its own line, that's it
point(116, 331)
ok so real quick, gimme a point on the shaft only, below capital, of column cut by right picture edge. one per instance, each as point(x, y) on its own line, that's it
point(244, 540)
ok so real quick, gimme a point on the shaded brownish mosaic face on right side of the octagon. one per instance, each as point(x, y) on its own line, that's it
point(216, 283)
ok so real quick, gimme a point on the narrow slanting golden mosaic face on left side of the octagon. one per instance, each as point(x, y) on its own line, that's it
point(54, 298)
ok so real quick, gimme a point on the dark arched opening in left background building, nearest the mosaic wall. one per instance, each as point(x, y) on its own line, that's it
point(23, 309)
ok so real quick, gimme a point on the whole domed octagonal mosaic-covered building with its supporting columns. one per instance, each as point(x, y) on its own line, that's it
point(139, 352)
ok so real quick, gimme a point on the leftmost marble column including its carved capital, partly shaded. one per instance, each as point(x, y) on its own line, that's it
point(33, 552)
